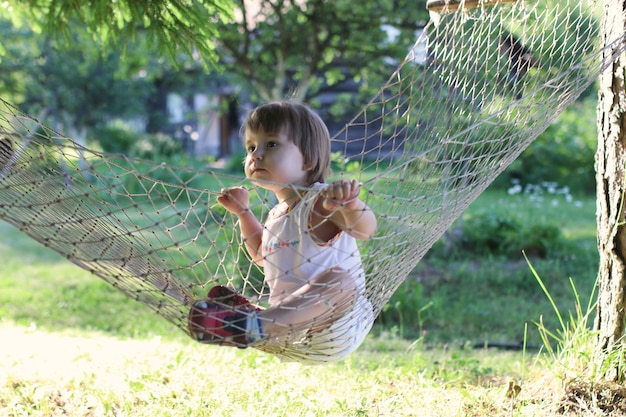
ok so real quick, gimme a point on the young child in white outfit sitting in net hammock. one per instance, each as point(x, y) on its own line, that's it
point(307, 246)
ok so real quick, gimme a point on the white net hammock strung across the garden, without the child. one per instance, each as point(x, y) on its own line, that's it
point(479, 86)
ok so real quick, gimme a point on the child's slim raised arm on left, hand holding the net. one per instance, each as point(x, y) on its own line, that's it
point(236, 200)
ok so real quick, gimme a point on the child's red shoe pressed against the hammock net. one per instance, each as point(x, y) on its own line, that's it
point(215, 323)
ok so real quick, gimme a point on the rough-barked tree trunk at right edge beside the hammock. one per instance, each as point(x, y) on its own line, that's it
point(611, 186)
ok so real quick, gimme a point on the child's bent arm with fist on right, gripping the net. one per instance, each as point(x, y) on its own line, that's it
point(344, 208)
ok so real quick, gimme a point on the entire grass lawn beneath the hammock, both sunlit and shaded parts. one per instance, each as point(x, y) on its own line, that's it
point(72, 345)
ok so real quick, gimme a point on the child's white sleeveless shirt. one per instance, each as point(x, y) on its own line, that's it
point(291, 256)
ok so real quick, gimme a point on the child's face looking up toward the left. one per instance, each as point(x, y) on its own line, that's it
point(274, 157)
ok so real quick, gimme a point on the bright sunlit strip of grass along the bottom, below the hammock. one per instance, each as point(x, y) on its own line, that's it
point(91, 374)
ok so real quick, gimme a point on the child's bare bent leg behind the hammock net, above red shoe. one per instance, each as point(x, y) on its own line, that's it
point(314, 306)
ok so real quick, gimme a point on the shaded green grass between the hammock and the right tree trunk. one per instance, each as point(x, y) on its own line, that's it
point(461, 298)
